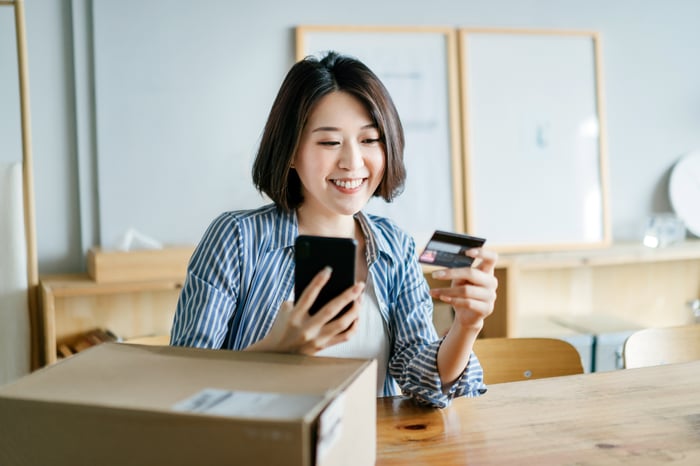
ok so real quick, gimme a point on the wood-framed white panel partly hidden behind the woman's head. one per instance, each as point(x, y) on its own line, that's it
point(418, 65)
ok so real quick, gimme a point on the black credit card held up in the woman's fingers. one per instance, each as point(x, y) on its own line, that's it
point(447, 249)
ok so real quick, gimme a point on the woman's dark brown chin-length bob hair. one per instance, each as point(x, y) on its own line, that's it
point(305, 84)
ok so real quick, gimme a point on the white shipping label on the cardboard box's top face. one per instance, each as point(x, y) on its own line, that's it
point(245, 404)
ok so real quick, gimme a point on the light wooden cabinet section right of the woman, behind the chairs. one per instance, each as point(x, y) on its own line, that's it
point(649, 287)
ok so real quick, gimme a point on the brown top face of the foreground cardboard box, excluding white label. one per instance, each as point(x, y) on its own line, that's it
point(158, 377)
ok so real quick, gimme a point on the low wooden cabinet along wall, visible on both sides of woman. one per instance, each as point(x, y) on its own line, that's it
point(650, 287)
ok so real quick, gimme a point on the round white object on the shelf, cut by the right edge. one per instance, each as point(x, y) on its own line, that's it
point(684, 191)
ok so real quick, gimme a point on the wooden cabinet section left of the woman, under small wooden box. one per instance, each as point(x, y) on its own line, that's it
point(73, 304)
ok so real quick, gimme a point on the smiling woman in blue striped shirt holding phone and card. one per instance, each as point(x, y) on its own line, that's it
point(333, 140)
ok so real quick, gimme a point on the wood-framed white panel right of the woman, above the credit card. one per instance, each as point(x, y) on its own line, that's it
point(534, 139)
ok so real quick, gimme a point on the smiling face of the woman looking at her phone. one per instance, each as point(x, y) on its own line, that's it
point(340, 160)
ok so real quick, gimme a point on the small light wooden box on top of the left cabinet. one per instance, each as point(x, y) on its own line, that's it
point(109, 266)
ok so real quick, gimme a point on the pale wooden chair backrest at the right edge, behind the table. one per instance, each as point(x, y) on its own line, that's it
point(656, 346)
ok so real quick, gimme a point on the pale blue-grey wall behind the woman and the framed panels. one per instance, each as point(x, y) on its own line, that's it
point(149, 59)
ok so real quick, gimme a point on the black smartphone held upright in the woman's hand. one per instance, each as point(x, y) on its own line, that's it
point(312, 254)
